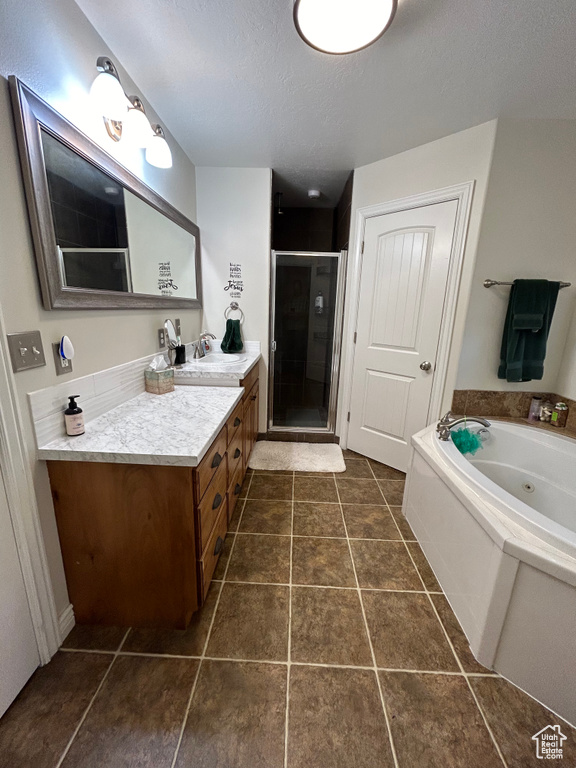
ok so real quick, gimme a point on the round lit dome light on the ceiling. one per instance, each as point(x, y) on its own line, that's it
point(342, 26)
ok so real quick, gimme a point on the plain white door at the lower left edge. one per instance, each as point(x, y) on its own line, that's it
point(18, 649)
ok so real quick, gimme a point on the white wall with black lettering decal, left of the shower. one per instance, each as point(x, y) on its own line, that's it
point(234, 208)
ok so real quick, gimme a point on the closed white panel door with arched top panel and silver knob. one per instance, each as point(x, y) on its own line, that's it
point(402, 288)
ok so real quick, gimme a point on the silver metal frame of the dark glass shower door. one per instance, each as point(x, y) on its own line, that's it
point(330, 427)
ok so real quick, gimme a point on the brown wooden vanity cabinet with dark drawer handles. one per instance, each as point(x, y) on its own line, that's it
point(140, 542)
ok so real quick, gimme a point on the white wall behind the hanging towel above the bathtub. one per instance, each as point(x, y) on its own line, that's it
point(528, 231)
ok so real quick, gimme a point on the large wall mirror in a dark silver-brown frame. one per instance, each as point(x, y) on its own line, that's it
point(103, 239)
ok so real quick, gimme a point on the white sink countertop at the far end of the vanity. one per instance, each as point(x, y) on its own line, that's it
point(217, 369)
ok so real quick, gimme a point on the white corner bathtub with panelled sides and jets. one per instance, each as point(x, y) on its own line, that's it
point(499, 530)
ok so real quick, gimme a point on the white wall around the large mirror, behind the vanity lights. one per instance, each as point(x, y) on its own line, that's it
point(50, 46)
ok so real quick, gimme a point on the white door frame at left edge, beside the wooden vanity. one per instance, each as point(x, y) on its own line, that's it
point(23, 510)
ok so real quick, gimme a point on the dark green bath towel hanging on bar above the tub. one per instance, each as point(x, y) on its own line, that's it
point(528, 319)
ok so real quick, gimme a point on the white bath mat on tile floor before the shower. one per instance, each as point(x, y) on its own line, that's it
point(297, 457)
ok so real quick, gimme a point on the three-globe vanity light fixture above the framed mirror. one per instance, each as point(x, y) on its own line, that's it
point(125, 117)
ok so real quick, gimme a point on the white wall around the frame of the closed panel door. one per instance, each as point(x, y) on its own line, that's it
point(461, 157)
